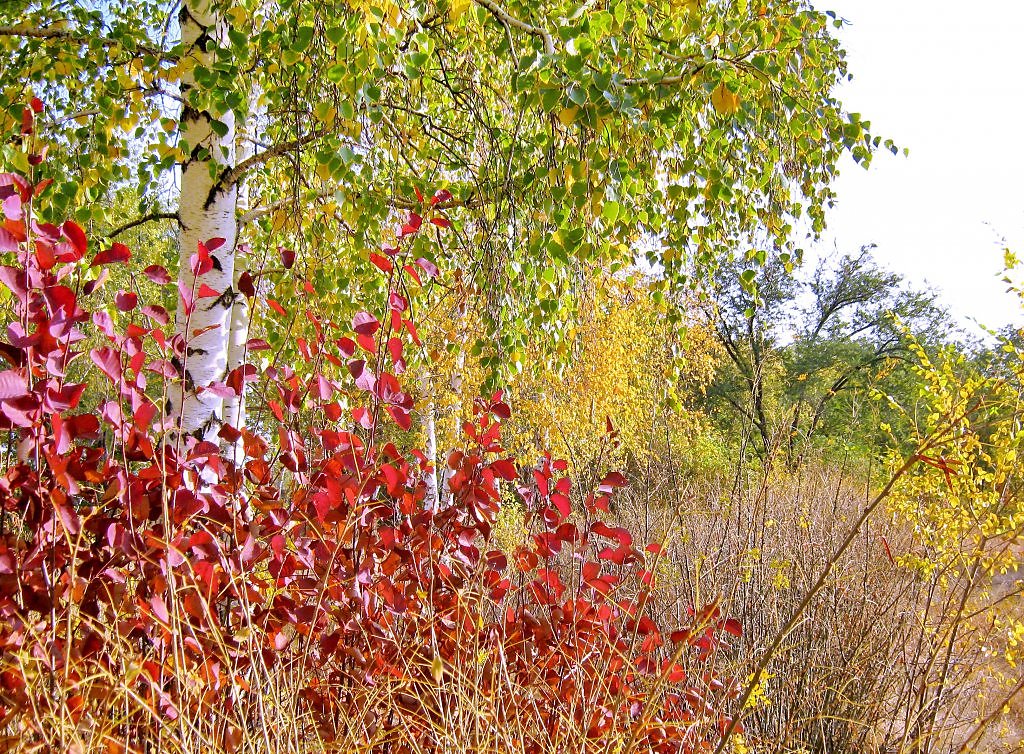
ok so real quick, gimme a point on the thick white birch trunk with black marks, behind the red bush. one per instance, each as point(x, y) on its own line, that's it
point(207, 212)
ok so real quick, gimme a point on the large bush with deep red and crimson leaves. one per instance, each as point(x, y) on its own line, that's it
point(147, 582)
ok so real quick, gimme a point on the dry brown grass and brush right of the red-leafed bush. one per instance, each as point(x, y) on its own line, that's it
point(884, 659)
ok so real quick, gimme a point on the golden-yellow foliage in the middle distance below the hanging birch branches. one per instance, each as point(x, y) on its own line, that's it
point(621, 366)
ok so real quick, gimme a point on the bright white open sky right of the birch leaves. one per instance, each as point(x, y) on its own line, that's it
point(946, 80)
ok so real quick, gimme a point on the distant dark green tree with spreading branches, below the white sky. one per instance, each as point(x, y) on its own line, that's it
point(800, 351)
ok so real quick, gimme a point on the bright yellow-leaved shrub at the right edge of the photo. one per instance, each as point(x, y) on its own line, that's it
point(964, 498)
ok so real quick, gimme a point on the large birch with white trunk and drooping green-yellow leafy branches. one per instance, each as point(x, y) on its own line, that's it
point(563, 133)
